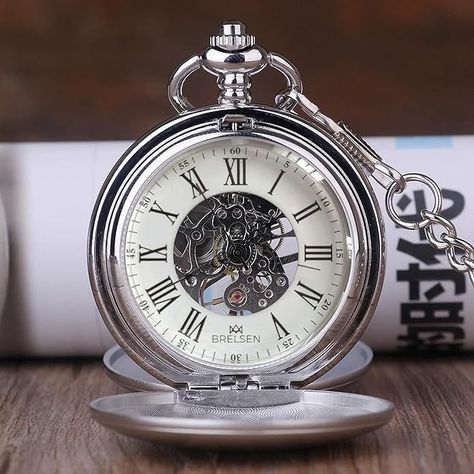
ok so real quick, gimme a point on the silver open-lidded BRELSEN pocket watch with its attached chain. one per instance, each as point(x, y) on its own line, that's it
point(236, 253)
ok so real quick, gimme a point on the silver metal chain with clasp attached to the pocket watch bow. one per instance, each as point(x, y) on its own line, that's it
point(459, 252)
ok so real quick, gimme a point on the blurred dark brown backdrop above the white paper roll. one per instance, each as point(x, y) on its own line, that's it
point(98, 69)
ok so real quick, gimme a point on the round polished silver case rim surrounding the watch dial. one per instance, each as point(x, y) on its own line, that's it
point(131, 174)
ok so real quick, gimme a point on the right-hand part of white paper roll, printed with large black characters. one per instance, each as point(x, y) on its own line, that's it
point(425, 305)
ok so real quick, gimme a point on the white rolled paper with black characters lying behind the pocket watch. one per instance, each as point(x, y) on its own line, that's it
point(49, 189)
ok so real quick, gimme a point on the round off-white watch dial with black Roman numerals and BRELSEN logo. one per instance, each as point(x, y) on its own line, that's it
point(237, 252)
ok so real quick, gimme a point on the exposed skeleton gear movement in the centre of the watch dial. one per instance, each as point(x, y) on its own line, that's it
point(231, 244)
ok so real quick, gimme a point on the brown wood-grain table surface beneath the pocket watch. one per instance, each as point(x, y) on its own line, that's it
point(46, 427)
